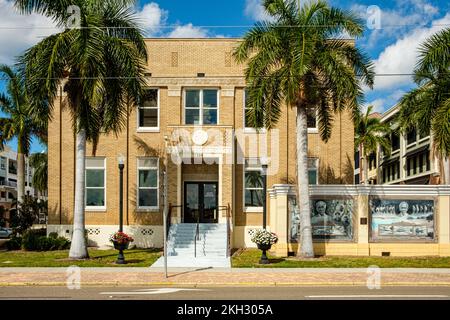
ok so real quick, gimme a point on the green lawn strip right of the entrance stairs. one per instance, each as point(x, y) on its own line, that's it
point(249, 258)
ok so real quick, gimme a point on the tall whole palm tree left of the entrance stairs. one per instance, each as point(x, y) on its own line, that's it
point(100, 65)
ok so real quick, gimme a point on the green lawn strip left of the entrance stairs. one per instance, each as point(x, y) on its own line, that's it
point(98, 258)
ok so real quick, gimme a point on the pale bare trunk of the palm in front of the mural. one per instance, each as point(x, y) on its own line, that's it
point(305, 248)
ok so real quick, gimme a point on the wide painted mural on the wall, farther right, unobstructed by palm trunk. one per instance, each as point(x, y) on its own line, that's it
point(402, 219)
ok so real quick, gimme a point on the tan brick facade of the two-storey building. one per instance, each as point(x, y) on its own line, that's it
point(174, 65)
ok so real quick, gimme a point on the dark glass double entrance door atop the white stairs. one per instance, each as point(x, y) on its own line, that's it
point(200, 202)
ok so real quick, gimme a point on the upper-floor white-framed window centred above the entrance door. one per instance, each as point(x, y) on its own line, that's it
point(201, 106)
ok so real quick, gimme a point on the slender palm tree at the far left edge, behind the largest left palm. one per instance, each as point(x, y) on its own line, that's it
point(20, 122)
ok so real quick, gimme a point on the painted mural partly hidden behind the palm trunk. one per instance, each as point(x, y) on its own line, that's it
point(330, 219)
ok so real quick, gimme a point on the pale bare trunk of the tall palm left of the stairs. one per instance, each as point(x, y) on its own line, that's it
point(78, 247)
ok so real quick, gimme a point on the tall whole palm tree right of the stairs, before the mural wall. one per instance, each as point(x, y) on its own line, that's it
point(296, 60)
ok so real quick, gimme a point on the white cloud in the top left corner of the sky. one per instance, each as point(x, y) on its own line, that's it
point(19, 32)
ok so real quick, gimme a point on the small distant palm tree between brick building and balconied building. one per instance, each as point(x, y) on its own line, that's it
point(370, 133)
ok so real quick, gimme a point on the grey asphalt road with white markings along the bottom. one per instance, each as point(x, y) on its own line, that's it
point(225, 293)
